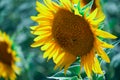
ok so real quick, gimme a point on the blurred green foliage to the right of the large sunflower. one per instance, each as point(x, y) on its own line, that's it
point(111, 9)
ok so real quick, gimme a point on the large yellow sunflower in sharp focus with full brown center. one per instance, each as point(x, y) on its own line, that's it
point(64, 35)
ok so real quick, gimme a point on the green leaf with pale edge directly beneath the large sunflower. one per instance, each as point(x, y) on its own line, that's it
point(72, 73)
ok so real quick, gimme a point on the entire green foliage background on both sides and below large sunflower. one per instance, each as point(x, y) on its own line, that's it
point(15, 21)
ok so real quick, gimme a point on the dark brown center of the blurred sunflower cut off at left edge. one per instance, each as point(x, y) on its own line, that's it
point(5, 56)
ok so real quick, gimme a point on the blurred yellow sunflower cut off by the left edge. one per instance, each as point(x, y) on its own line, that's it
point(8, 68)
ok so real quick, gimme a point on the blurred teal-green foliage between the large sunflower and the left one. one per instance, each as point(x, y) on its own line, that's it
point(15, 21)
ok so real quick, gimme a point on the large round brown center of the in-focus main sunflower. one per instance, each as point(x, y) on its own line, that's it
point(72, 33)
